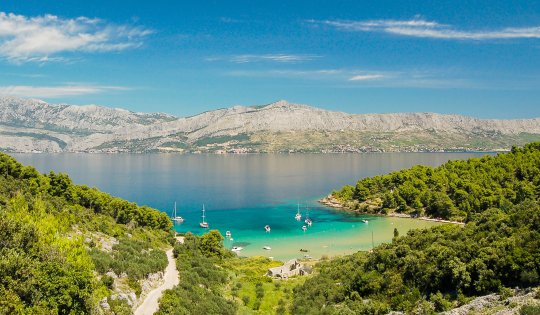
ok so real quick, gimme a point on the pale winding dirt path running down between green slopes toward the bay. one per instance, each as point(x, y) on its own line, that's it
point(150, 304)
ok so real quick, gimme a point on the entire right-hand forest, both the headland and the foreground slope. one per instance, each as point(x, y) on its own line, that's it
point(433, 270)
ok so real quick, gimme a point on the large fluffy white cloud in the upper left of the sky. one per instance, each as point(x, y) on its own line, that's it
point(43, 38)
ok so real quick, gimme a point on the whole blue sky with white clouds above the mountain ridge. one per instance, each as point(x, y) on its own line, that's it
point(476, 58)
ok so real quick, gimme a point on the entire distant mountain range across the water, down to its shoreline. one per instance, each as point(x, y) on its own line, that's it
point(32, 125)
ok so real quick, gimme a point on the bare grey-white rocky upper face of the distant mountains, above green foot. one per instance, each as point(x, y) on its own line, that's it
point(28, 125)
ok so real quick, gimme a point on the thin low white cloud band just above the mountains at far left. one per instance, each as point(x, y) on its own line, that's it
point(56, 91)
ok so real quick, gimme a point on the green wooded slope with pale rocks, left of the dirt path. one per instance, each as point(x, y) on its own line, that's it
point(64, 247)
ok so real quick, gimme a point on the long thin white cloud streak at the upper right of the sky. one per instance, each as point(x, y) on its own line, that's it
point(419, 27)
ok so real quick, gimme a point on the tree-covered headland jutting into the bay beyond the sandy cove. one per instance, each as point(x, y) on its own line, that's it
point(456, 190)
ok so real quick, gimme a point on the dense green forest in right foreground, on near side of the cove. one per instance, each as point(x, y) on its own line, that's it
point(431, 270)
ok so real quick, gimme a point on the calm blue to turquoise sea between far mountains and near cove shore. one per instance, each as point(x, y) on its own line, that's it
point(243, 193)
